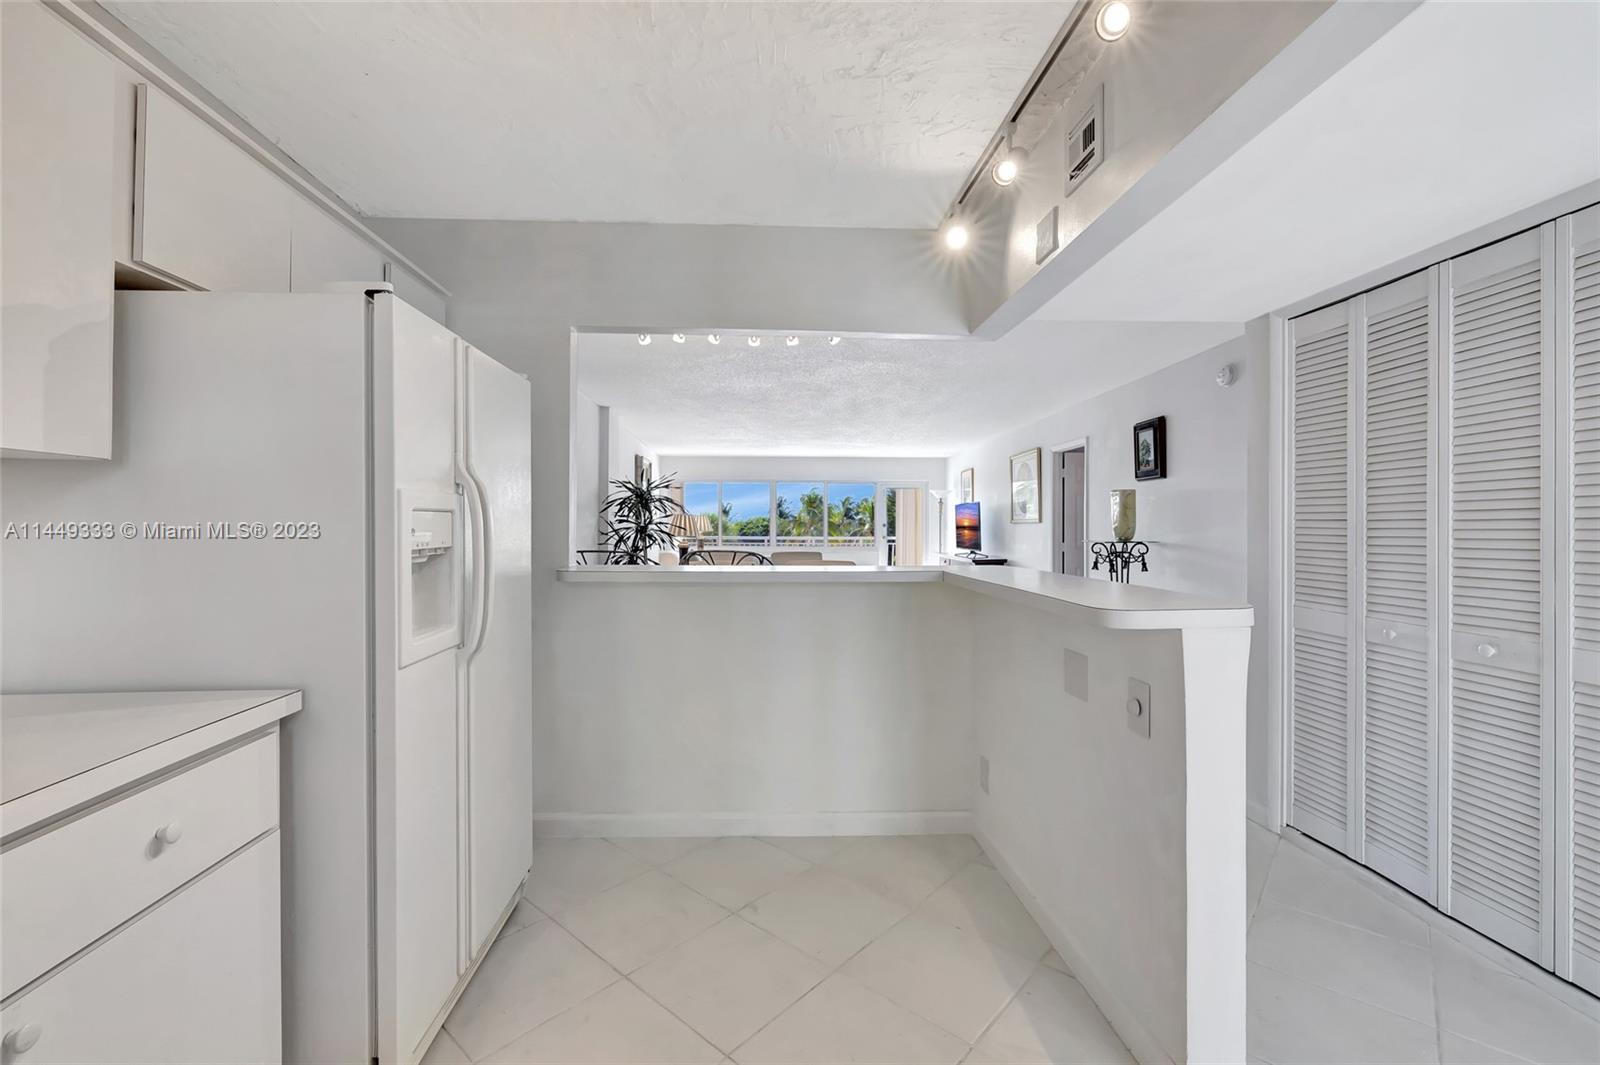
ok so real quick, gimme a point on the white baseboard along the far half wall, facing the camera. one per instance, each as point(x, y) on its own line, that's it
point(753, 824)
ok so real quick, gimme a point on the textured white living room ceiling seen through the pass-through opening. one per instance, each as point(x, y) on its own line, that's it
point(868, 397)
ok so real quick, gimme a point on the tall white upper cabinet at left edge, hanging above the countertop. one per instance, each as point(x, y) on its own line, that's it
point(57, 124)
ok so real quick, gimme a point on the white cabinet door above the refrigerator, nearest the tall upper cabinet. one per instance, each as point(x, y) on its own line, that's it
point(206, 212)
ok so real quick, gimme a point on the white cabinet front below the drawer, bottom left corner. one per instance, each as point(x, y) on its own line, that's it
point(196, 979)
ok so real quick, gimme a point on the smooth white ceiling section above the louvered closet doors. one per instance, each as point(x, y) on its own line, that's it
point(1458, 118)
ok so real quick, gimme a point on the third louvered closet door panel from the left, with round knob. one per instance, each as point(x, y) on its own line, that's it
point(1500, 808)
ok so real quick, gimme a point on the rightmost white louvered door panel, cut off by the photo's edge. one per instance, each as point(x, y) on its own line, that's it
point(1578, 842)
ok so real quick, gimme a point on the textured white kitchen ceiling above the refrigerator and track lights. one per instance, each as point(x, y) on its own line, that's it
point(766, 114)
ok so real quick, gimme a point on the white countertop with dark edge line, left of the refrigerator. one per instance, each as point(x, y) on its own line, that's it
point(76, 744)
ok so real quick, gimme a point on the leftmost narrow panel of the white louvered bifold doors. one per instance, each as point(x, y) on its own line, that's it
point(1322, 722)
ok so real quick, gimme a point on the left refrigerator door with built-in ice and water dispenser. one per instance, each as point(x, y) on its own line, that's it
point(417, 564)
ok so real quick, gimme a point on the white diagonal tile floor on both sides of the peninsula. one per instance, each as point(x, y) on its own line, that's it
point(913, 949)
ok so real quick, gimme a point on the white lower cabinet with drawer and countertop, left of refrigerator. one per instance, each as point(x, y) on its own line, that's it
point(140, 884)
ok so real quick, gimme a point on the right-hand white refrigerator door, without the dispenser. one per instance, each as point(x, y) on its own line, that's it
point(497, 663)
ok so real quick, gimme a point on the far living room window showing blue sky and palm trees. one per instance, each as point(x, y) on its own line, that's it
point(762, 516)
